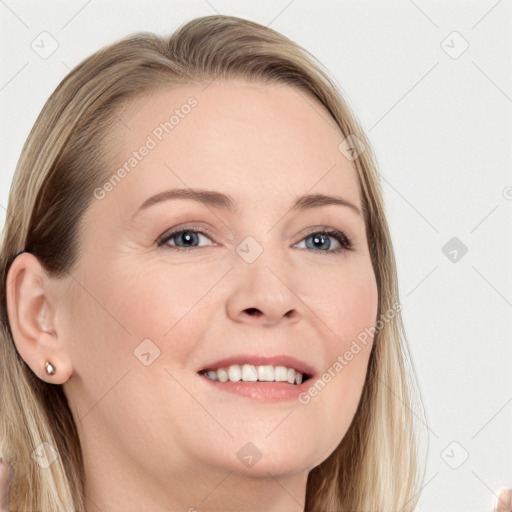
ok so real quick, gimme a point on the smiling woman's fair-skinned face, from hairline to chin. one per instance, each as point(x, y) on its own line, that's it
point(260, 279)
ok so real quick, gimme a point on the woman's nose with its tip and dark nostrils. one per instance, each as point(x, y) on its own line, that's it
point(263, 295)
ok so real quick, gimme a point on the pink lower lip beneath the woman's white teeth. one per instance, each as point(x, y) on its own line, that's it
point(261, 391)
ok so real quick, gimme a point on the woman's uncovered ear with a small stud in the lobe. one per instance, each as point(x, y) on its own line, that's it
point(32, 308)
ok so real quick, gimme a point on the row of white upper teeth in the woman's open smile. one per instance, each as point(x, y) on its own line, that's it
point(251, 373)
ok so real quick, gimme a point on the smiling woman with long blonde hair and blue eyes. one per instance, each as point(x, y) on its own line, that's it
point(199, 299)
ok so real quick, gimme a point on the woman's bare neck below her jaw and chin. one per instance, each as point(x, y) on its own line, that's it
point(118, 483)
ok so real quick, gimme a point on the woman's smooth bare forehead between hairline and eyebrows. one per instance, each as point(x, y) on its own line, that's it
point(258, 143)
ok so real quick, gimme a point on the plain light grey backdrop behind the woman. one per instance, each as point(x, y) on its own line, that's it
point(441, 129)
